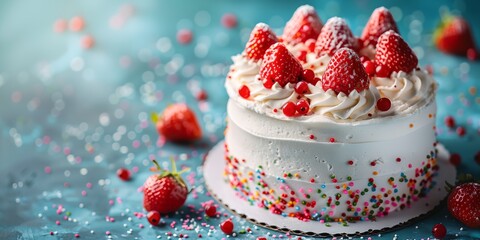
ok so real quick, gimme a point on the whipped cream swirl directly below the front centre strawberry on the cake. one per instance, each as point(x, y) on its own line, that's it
point(354, 106)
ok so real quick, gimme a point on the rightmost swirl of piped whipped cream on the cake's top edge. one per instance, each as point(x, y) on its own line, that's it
point(406, 91)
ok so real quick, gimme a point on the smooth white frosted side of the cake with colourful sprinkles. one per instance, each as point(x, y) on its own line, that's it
point(327, 181)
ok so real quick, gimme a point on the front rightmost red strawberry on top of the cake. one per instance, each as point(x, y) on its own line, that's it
point(394, 53)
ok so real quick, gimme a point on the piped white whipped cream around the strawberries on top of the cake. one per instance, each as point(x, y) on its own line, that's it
point(407, 93)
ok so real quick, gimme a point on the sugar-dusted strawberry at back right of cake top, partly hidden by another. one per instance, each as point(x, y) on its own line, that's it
point(380, 21)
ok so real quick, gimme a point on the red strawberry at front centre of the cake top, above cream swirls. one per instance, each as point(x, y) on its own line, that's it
point(345, 73)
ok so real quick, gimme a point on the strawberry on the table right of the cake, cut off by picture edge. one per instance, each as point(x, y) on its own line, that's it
point(464, 204)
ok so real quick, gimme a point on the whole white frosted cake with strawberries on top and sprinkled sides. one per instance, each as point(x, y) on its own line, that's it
point(326, 126)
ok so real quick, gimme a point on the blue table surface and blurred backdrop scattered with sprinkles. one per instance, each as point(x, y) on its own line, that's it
point(70, 116)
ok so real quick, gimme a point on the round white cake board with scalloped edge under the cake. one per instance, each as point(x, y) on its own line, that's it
point(219, 188)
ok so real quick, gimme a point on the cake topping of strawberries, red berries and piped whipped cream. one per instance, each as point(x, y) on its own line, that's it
point(315, 72)
